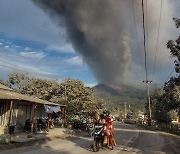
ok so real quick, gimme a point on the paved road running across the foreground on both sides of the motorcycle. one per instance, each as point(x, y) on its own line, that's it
point(130, 140)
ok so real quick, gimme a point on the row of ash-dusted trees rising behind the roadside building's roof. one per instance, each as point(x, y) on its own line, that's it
point(70, 92)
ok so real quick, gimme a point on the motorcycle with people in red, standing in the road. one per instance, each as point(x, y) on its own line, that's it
point(98, 138)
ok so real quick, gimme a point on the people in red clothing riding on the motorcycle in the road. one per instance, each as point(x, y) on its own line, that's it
point(108, 127)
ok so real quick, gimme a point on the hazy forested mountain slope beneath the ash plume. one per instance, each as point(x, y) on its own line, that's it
point(115, 98)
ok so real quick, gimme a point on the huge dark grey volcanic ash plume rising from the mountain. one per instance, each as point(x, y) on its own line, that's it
point(98, 31)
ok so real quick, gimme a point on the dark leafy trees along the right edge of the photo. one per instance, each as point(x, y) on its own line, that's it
point(167, 100)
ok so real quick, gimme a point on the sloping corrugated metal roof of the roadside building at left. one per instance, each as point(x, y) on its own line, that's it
point(7, 93)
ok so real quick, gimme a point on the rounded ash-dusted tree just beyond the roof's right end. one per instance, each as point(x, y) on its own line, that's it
point(78, 97)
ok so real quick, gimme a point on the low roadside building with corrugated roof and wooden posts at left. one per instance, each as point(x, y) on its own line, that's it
point(16, 108)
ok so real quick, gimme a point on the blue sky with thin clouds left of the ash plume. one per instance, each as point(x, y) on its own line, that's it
point(30, 42)
